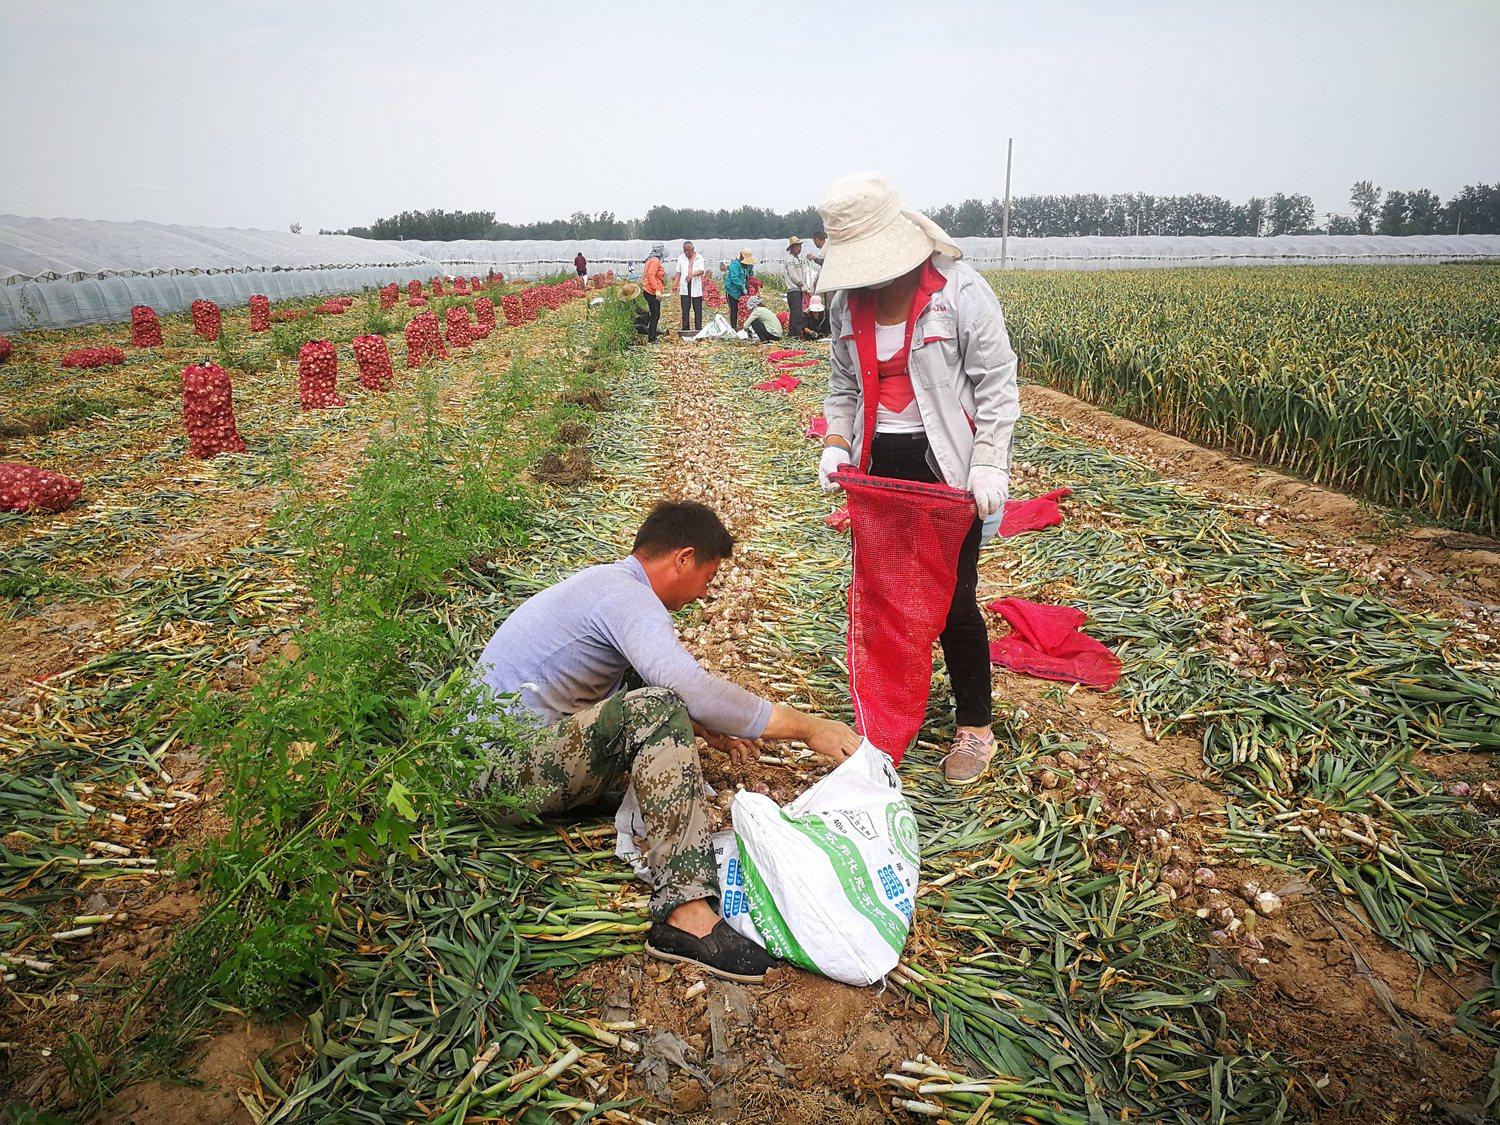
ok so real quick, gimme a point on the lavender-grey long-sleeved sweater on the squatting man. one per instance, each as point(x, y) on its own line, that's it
point(569, 647)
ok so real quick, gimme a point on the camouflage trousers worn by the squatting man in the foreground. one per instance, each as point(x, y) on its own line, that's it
point(647, 736)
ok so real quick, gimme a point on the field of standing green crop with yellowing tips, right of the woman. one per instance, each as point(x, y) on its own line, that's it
point(1382, 382)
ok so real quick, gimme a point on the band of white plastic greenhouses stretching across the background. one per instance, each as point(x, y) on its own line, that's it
point(56, 274)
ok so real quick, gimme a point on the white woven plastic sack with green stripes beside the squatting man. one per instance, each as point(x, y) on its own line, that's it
point(832, 880)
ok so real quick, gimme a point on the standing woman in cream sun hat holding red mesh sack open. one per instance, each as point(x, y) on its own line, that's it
point(922, 386)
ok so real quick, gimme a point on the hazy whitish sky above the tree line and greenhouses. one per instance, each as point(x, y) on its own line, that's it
point(332, 113)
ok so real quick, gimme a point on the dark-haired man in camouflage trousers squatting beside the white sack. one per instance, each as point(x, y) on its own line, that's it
point(565, 655)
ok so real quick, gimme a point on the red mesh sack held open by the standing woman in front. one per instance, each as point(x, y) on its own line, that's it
point(907, 541)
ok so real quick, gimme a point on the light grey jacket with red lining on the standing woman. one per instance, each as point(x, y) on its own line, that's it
point(962, 368)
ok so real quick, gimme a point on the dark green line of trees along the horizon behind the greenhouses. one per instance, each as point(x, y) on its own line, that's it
point(1474, 211)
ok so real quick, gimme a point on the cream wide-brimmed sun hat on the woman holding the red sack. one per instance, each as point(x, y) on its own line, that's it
point(872, 236)
